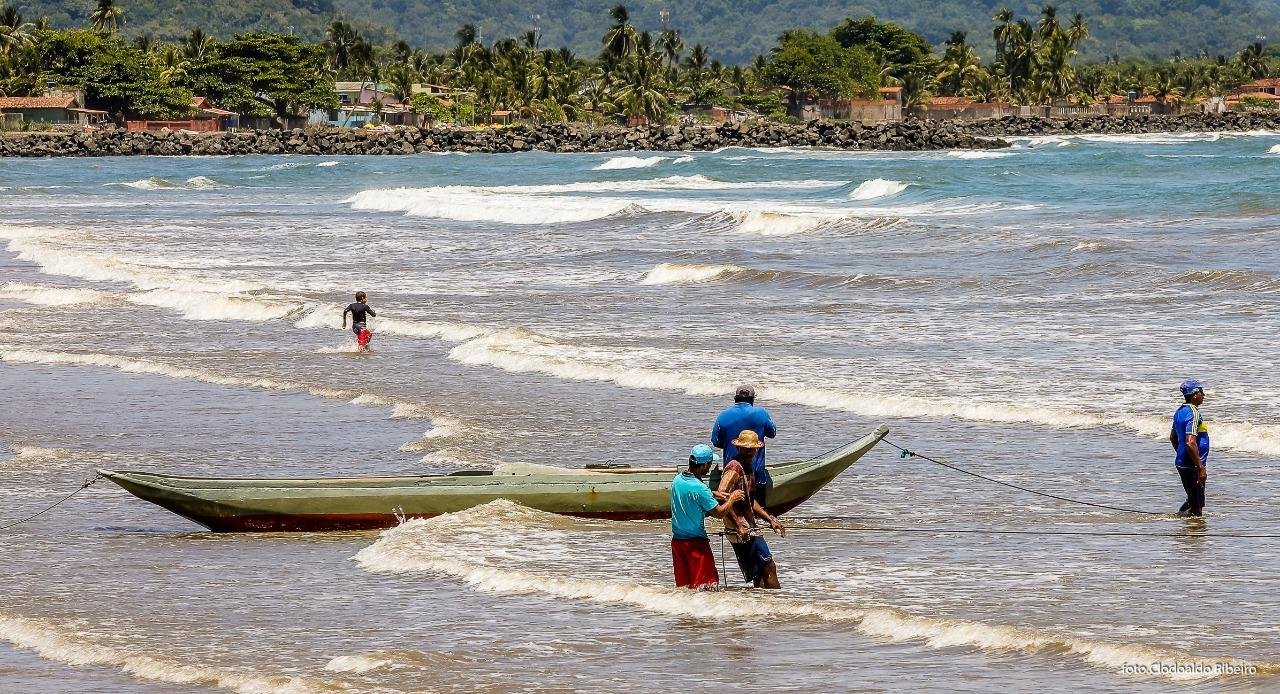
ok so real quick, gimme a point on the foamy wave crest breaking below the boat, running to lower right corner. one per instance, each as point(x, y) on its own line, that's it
point(428, 546)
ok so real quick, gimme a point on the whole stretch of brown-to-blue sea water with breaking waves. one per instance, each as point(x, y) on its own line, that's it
point(1027, 313)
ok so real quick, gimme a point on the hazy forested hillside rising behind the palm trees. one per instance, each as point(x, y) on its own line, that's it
point(734, 30)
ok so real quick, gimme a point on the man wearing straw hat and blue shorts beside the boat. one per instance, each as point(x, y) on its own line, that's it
point(740, 523)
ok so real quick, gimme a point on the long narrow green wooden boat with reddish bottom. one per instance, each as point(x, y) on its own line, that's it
point(353, 504)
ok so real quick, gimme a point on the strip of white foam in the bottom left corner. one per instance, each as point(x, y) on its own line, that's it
point(70, 647)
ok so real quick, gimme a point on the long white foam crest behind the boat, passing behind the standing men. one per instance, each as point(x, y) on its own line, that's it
point(524, 351)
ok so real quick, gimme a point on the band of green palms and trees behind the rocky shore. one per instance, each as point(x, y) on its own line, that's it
point(637, 75)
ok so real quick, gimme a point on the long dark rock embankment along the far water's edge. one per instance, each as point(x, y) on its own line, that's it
point(556, 138)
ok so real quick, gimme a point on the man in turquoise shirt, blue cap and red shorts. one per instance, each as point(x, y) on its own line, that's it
point(692, 501)
